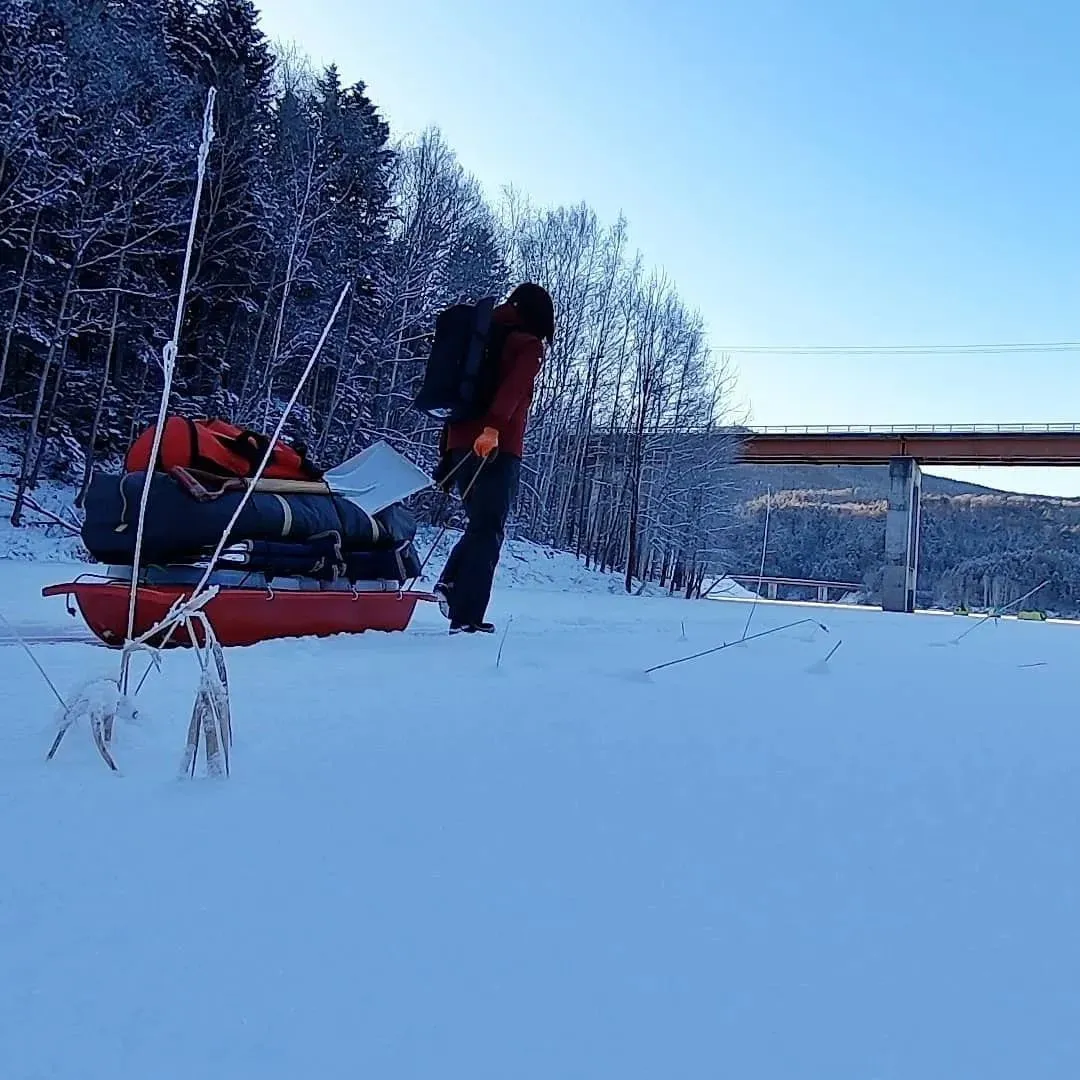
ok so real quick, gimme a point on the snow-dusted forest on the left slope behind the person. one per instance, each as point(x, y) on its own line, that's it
point(101, 116)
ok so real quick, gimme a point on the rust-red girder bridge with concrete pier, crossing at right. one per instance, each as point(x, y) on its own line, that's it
point(906, 450)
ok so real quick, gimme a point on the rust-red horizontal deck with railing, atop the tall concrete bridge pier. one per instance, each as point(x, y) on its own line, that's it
point(970, 445)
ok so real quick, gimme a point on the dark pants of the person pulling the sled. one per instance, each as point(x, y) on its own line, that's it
point(470, 571)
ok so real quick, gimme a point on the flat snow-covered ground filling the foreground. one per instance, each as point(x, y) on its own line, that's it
point(430, 867)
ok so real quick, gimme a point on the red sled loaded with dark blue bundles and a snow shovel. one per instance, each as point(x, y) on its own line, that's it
point(309, 556)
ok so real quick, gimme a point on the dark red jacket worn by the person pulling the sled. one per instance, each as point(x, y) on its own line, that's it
point(519, 367)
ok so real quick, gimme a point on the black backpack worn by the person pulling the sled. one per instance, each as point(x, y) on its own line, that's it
point(463, 372)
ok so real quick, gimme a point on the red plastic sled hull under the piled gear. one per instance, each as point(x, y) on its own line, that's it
point(240, 616)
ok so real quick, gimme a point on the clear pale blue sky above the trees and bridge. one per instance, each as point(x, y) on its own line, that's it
point(841, 172)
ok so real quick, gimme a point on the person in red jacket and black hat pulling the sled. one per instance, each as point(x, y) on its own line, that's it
point(496, 443)
